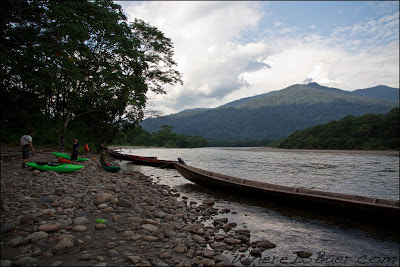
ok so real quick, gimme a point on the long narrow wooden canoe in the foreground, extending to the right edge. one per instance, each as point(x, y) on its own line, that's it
point(342, 203)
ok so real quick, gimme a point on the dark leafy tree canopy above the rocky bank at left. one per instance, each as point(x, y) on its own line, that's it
point(80, 63)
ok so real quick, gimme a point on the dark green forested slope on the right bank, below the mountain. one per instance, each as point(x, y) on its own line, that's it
point(368, 132)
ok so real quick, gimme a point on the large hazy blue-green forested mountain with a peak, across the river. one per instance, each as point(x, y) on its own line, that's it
point(273, 116)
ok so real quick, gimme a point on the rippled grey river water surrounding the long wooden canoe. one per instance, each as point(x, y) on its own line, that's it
point(333, 241)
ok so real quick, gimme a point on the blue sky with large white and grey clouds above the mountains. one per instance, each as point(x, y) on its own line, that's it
point(227, 50)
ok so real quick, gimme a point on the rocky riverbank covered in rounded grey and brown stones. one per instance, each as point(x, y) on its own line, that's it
point(51, 219)
